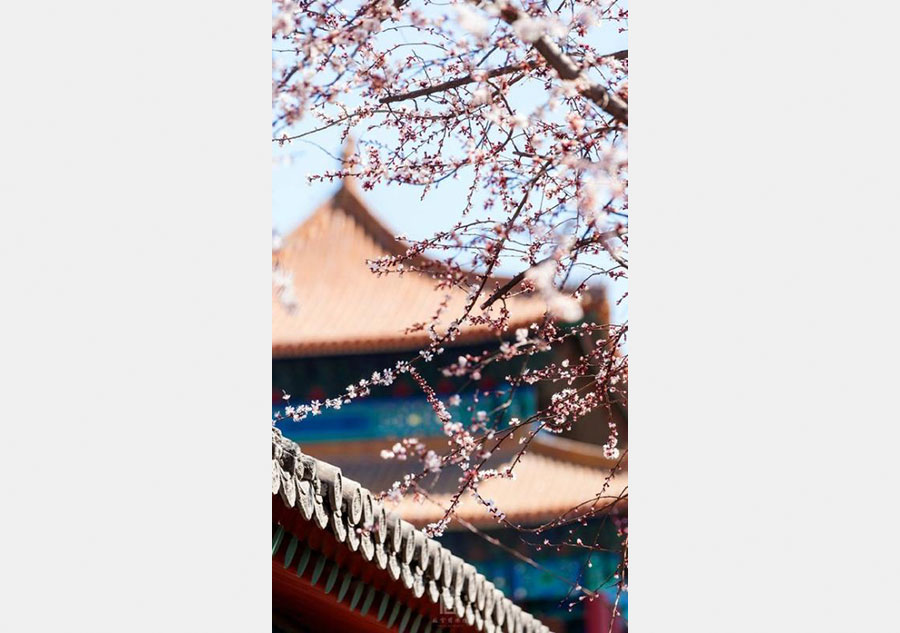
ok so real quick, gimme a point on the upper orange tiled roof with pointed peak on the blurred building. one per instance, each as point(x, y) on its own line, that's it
point(345, 308)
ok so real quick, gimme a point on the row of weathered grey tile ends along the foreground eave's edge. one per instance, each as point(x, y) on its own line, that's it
point(322, 495)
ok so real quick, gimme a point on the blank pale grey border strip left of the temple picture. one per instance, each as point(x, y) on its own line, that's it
point(135, 331)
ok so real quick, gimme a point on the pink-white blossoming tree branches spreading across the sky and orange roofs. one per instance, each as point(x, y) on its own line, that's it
point(516, 100)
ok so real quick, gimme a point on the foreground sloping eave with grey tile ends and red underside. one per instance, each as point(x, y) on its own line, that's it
point(353, 538)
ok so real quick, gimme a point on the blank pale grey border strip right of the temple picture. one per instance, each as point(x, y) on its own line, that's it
point(763, 317)
